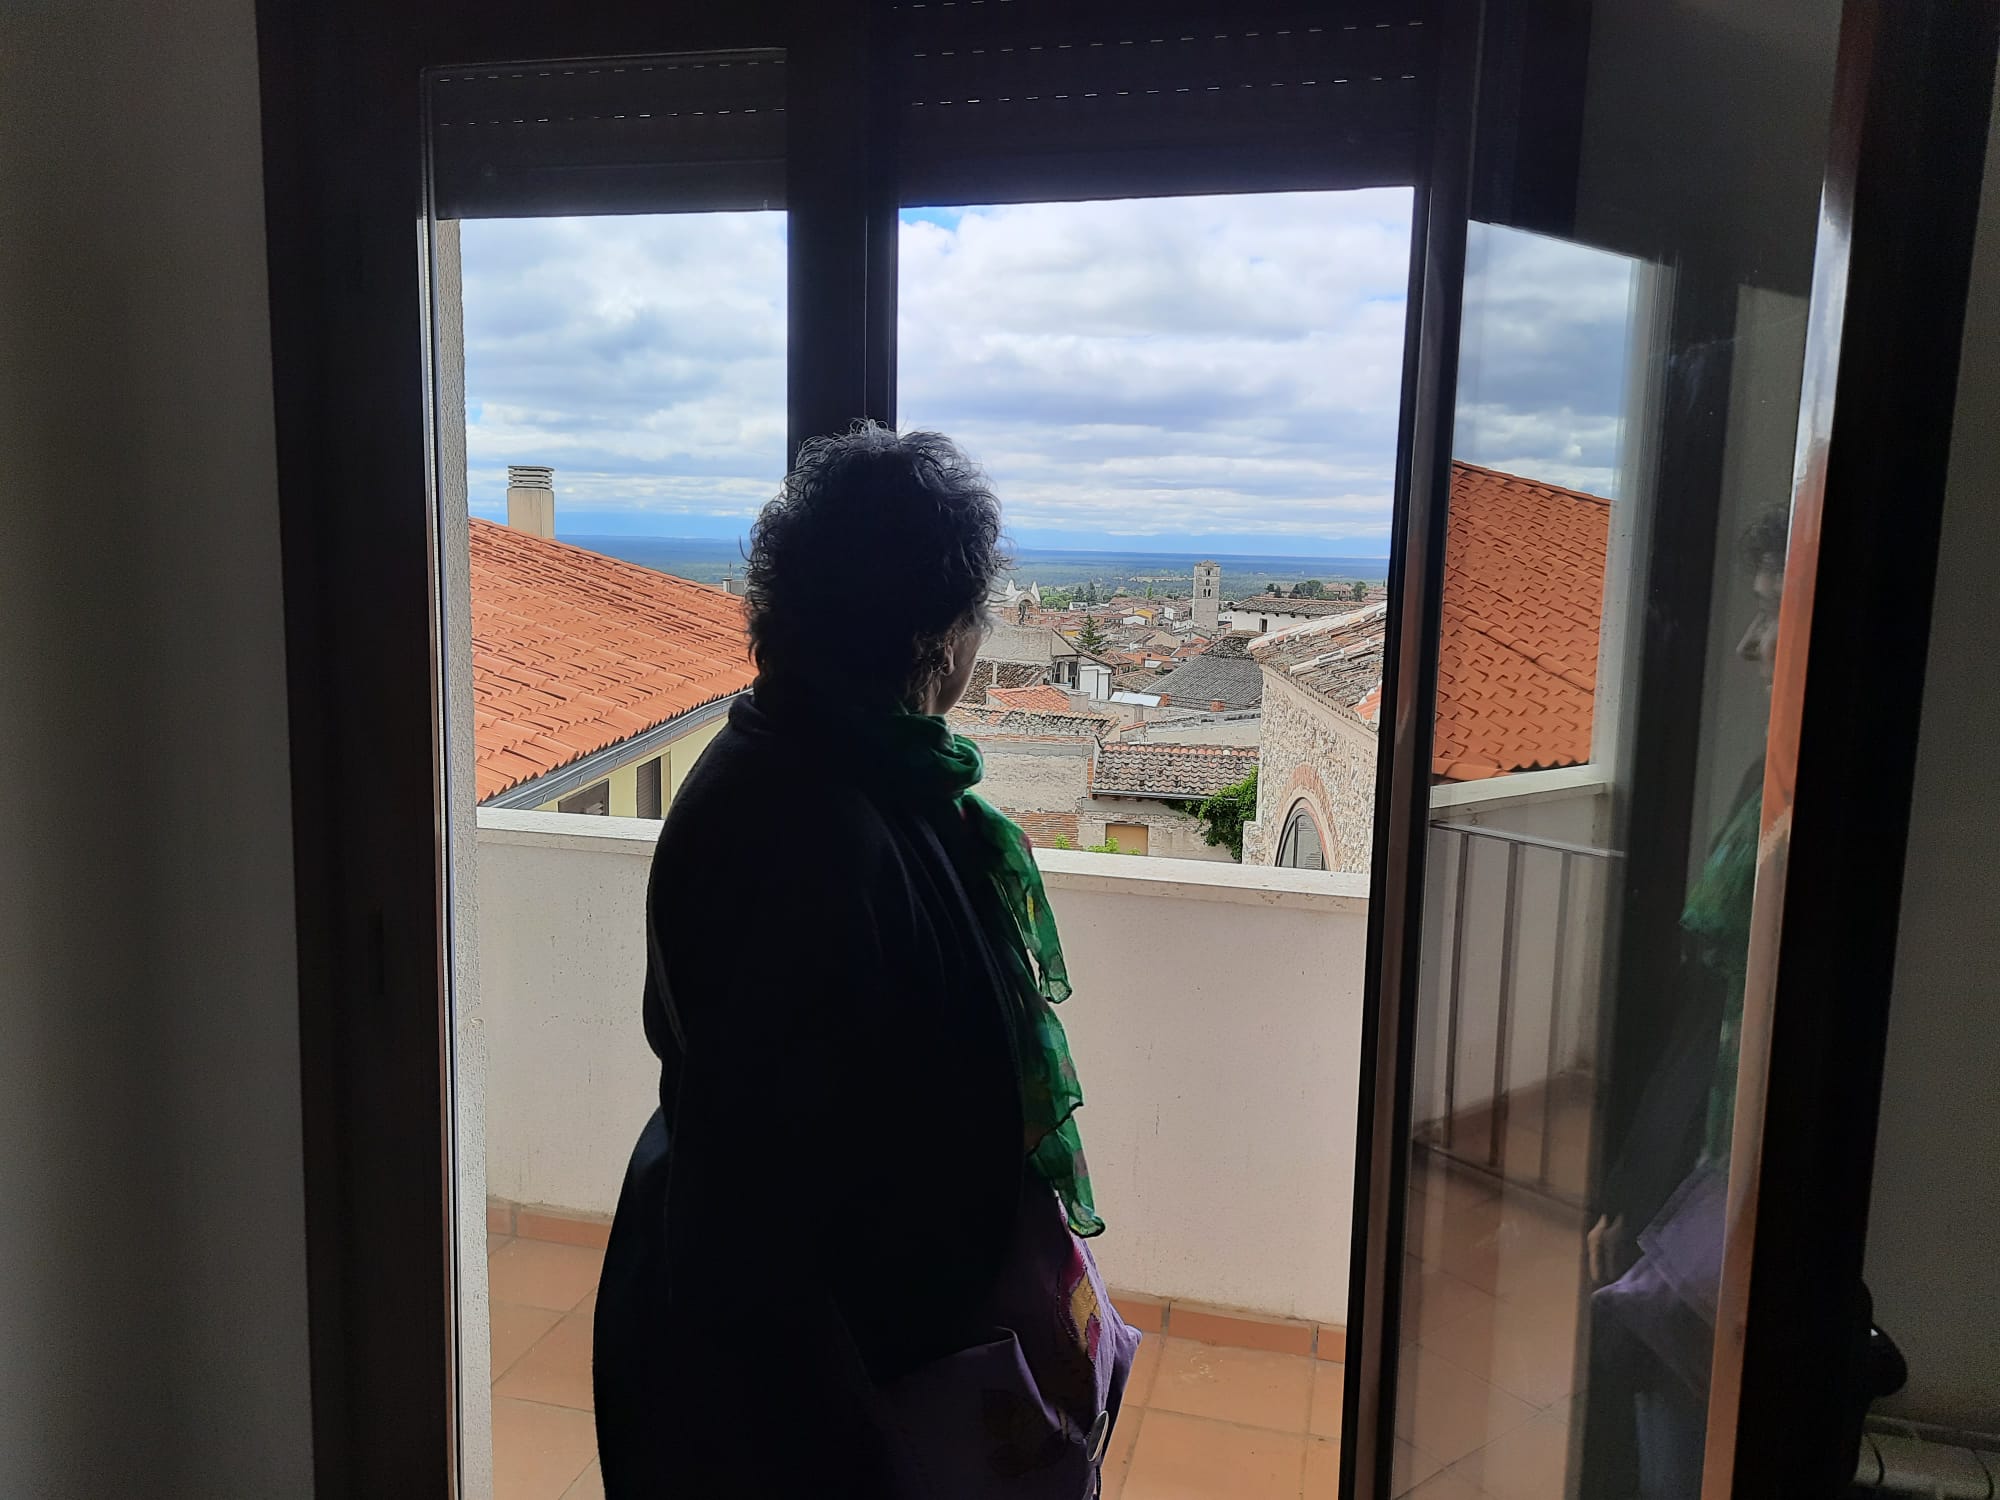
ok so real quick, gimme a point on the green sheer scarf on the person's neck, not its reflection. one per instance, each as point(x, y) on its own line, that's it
point(927, 761)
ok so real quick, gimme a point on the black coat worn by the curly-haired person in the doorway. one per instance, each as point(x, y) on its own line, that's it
point(831, 1181)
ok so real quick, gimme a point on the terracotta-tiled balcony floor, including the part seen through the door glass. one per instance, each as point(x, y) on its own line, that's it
point(1493, 1295)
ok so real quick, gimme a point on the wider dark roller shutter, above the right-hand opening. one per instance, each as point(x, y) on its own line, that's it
point(1003, 101)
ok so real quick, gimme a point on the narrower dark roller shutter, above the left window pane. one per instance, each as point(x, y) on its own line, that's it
point(681, 133)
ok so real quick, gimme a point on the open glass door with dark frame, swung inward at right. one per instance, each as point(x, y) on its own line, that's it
point(1635, 293)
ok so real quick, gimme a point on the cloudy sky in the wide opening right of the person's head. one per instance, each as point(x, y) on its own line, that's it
point(1167, 367)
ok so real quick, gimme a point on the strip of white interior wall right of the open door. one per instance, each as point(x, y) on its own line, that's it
point(1935, 1217)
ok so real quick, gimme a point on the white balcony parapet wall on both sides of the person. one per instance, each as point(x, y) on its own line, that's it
point(1217, 1027)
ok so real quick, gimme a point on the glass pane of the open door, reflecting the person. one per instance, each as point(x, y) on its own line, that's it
point(1625, 417)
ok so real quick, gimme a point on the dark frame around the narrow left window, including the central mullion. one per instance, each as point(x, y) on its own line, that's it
point(343, 93)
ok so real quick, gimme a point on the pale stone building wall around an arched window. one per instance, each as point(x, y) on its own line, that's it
point(1323, 757)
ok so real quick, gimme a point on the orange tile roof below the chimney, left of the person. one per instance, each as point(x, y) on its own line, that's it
point(575, 653)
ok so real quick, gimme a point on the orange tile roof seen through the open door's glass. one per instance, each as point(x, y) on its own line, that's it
point(1523, 607)
